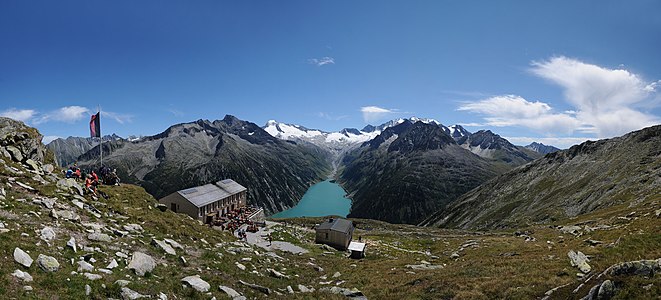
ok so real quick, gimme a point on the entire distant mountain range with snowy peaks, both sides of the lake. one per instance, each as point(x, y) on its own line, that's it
point(399, 171)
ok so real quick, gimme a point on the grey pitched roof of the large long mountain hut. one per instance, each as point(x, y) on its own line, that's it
point(209, 193)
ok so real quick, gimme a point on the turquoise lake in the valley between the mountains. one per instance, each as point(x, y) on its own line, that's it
point(322, 199)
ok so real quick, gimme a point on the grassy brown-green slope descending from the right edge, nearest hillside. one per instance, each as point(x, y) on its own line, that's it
point(564, 184)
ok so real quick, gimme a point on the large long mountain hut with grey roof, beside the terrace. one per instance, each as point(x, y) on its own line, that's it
point(214, 198)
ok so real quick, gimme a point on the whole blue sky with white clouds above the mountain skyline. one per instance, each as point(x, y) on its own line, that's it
point(554, 71)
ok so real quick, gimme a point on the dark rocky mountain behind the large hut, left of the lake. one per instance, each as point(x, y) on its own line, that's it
point(277, 173)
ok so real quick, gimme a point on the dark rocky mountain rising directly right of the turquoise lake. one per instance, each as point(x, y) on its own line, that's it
point(409, 170)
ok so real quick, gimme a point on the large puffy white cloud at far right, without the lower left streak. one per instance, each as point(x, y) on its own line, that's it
point(605, 99)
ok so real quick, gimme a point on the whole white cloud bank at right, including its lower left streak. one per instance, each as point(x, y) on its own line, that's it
point(604, 102)
